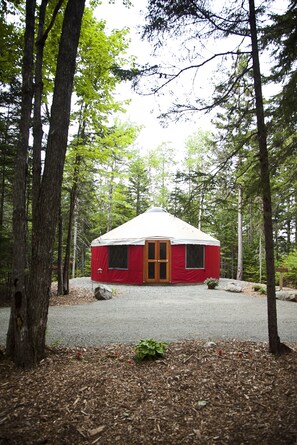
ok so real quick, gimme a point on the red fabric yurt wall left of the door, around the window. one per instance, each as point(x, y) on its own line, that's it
point(133, 275)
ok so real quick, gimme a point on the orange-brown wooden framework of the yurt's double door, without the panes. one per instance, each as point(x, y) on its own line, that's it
point(157, 260)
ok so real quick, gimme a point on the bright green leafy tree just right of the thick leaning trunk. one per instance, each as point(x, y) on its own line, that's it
point(94, 86)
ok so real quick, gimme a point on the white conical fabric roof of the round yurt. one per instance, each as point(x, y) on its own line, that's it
point(156, 223)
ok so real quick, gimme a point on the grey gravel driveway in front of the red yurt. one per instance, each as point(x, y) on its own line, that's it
point(168, 313)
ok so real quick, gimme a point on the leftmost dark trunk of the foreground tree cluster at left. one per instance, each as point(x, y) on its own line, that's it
point(18, 345)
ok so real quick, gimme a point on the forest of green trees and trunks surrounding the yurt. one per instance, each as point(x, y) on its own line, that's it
point(92, 177)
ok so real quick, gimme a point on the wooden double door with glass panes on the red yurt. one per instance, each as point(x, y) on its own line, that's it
point(157, 261)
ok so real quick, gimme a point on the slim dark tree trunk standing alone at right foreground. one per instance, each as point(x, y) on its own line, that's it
point(274, 341)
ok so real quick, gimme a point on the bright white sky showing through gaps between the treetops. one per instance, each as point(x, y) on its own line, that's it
point(144, 110)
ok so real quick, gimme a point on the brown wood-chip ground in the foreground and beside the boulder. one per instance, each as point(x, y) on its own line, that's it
point(199, 393)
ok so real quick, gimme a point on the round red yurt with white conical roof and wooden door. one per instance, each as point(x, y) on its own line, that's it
point(155, 248)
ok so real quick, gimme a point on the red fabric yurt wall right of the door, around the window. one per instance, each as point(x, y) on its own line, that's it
point(179, 274)
